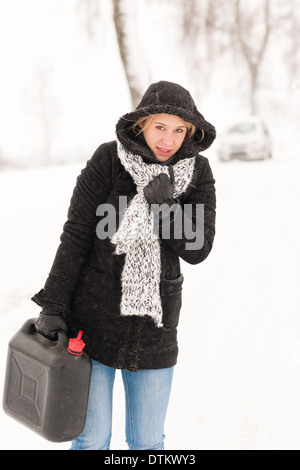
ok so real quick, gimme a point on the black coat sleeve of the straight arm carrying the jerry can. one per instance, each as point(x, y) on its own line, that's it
point(91, 190)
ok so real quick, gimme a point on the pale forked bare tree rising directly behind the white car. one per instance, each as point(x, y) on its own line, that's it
point(253, 57)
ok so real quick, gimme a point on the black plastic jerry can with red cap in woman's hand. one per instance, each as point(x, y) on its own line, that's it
point(47, 383)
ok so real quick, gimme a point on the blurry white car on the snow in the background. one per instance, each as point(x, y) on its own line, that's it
point(247, 139)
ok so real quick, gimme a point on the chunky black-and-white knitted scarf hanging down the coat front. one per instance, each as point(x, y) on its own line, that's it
point(136, 238)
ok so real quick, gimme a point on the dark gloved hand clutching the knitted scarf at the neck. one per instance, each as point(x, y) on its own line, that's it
point(160, 190)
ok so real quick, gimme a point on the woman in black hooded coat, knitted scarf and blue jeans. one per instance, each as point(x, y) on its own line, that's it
point(124, 290)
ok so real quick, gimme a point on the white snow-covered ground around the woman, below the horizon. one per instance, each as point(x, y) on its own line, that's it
point(237, 382)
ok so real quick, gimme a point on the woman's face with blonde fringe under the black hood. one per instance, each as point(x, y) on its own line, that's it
point(164, 135)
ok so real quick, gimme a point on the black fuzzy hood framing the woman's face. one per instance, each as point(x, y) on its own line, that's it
point(166, 98)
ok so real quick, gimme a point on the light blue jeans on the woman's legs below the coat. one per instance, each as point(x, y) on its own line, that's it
point(147, 395)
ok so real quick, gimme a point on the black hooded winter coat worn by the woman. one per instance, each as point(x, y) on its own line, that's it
point(84, 283)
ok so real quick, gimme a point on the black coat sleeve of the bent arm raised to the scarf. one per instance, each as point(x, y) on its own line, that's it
point(192, 229)
